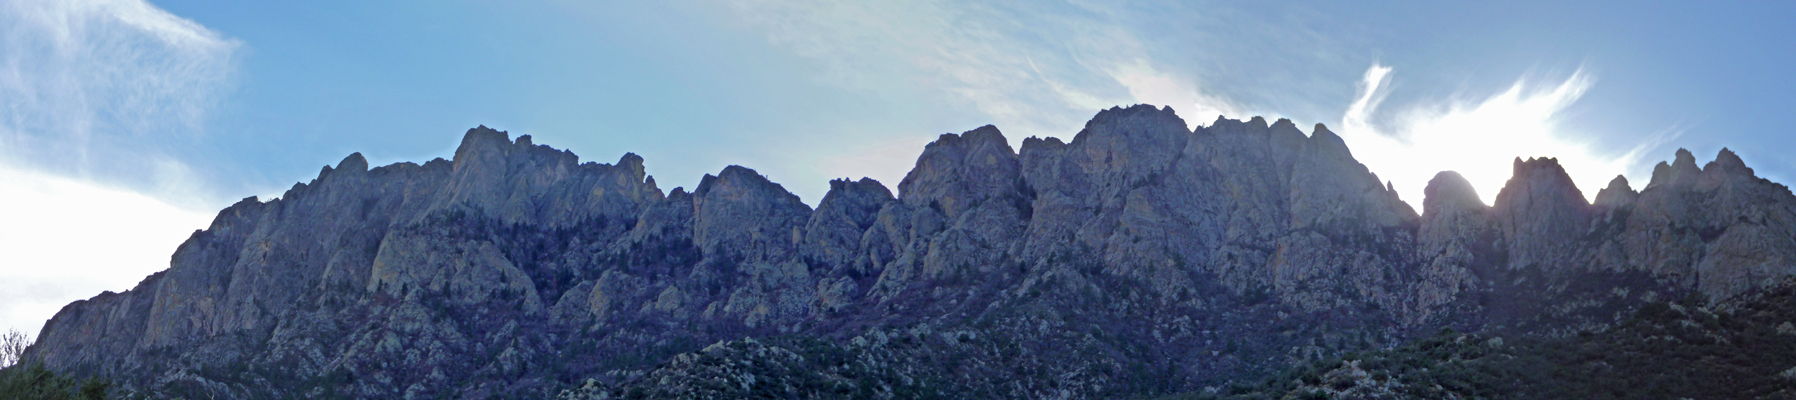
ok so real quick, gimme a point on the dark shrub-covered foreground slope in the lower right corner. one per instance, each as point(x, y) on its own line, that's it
point(1666, 351)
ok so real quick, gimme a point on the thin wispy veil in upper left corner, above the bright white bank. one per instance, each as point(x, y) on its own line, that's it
point(101, 89)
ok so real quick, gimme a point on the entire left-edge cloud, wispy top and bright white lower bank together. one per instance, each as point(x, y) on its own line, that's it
point(92, 98)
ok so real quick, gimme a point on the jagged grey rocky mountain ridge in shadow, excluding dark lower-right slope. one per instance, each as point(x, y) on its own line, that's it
point(1136, 259)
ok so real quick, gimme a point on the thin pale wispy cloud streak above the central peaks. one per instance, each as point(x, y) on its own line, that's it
point(1035, 71)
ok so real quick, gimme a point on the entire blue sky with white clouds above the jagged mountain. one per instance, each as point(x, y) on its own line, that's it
point(127, 125)
